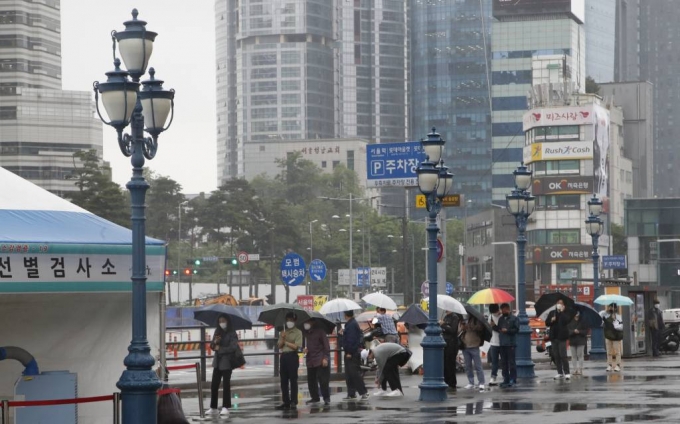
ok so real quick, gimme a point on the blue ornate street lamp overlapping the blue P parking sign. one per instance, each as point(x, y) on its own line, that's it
point(434, 182)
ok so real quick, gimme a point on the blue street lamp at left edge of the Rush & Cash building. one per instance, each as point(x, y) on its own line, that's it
point(521, 204)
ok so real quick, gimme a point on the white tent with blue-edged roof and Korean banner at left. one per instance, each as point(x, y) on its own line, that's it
point(65, 291)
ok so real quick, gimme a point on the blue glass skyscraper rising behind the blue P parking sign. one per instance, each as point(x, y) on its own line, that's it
point(450, 79)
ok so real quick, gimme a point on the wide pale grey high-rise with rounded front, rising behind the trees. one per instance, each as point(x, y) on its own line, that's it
point(306, 70)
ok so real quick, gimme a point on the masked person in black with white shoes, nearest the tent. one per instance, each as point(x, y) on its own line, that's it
point(225, 345)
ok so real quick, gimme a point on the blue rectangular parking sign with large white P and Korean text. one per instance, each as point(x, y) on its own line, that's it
point(393, 164)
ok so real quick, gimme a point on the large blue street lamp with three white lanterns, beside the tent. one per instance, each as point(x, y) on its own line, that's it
point(145, 110)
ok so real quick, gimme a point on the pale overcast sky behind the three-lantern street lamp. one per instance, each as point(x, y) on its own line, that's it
point(183, 56)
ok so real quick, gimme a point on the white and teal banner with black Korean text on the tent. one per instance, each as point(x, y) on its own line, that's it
point(75, 268)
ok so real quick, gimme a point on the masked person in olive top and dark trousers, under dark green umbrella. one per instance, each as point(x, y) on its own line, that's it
point(290, 342)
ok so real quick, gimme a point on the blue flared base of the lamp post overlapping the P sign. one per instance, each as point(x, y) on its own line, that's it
point(433, 388)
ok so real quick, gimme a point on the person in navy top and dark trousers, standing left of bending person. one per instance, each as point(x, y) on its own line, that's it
point(351, 344)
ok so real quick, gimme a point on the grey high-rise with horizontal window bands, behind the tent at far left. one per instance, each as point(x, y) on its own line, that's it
point(41, 126)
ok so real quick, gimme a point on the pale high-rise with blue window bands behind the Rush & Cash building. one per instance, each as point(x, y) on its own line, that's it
point(536, 51)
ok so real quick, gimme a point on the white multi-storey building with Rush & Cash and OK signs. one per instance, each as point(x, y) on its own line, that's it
point(574, 151)
